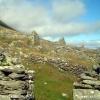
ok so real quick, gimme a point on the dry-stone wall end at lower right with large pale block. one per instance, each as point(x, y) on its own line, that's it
point(88, 85)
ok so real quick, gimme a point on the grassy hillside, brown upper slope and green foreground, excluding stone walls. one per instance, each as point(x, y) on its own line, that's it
point(50, 83)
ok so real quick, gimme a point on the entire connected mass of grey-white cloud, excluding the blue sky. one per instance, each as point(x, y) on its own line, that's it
point(54, 19)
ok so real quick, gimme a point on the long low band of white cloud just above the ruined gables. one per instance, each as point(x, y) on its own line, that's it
point(72, 28)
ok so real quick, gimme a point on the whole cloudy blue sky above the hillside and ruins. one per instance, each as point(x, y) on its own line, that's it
point(77, 21)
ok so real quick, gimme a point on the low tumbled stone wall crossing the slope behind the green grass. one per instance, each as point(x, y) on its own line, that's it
point(60, 64)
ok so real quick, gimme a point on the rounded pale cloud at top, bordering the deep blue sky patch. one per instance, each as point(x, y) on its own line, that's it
point(66, 10)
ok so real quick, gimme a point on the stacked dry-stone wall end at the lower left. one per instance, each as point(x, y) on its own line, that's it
point(16, 83)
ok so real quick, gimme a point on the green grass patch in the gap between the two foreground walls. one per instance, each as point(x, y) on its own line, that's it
point(57, 83)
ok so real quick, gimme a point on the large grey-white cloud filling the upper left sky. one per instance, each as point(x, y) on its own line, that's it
point(21, 14)
